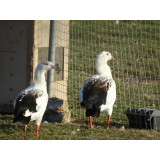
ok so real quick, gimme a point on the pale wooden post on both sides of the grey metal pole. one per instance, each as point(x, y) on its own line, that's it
point(41, 45)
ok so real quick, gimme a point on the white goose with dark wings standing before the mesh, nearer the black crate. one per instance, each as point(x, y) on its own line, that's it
point(99, 92)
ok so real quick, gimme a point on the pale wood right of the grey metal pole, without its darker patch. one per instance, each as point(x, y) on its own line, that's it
point(62, 40)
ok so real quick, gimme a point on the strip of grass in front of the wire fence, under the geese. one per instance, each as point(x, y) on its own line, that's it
point(72, 131)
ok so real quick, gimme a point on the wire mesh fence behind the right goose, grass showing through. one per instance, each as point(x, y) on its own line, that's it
point(136, 71)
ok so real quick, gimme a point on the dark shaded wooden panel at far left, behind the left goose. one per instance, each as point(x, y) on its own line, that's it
point(13, 59)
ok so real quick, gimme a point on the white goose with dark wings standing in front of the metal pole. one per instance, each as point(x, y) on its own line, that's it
point(31, 103)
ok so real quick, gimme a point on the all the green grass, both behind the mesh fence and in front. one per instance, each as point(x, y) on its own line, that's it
point(135, 45)
